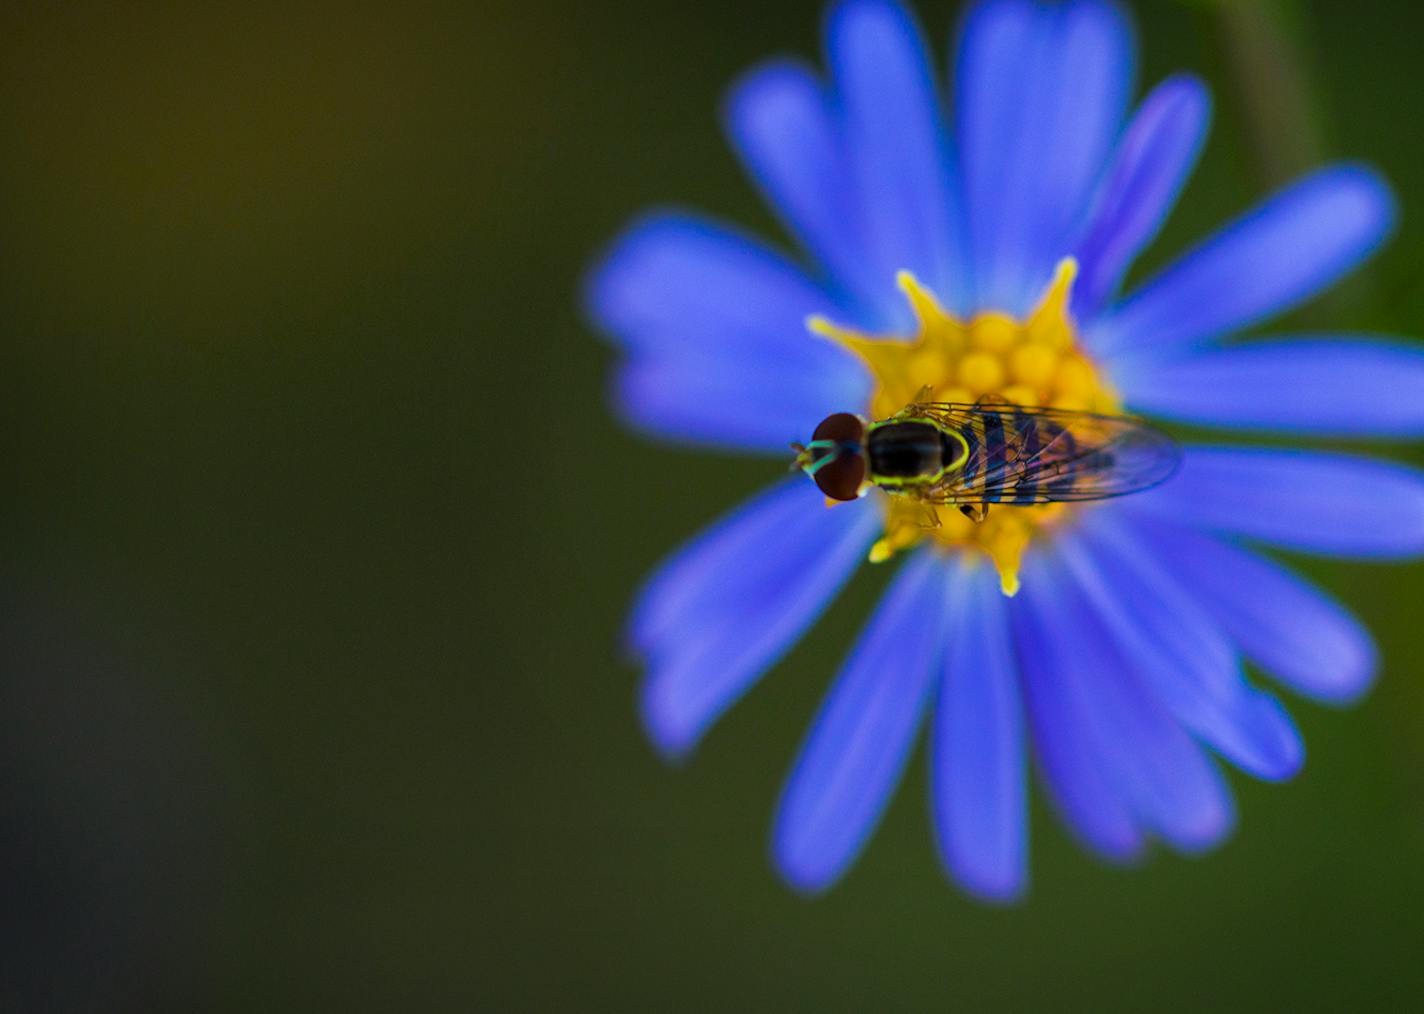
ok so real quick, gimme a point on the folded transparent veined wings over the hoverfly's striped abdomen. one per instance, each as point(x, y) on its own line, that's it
point(1035, 456)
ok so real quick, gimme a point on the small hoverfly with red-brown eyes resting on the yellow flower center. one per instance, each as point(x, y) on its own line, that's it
point(973, 456)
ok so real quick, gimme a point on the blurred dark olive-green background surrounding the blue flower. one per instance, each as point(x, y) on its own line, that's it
point(318, 539)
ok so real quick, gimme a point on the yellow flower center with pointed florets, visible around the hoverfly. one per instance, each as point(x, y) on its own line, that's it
point(1035, 362)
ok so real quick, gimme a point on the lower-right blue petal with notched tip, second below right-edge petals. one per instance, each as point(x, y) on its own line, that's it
point(1180, 653)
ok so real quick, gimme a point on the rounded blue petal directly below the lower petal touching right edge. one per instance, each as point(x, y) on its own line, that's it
point(1289, 627)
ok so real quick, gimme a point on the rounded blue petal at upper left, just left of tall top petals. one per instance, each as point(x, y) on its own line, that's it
point(788, 133)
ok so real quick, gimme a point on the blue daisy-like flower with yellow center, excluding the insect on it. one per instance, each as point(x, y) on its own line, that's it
point(982, 254)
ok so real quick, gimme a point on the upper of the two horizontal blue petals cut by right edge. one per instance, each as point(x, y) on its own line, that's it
point(1334, 387)
